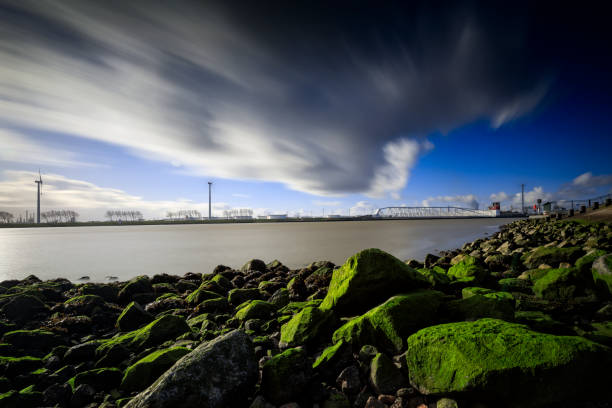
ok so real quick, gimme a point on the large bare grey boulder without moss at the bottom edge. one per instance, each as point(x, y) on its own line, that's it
point(219, 373)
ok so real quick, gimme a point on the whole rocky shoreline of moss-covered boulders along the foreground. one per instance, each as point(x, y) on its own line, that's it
point(520, 319)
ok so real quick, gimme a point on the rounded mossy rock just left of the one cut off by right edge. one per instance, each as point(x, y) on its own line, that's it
point(560, 284)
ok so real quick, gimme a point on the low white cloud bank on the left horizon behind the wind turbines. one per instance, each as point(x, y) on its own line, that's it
point(18, 193)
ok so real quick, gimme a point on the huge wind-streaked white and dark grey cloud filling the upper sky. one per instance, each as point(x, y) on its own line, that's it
point(218, 91)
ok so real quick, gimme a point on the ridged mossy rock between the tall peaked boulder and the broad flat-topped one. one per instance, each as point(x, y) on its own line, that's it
point(387, 326)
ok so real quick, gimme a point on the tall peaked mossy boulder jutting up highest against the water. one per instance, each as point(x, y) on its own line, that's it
point(367, 279)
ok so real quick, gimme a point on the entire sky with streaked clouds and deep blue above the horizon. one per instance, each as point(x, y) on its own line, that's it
point(300, 107)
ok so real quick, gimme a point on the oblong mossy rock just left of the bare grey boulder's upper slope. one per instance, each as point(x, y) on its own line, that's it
point(145, 371)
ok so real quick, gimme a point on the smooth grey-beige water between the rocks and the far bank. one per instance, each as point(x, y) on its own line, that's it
point(128, 251)
